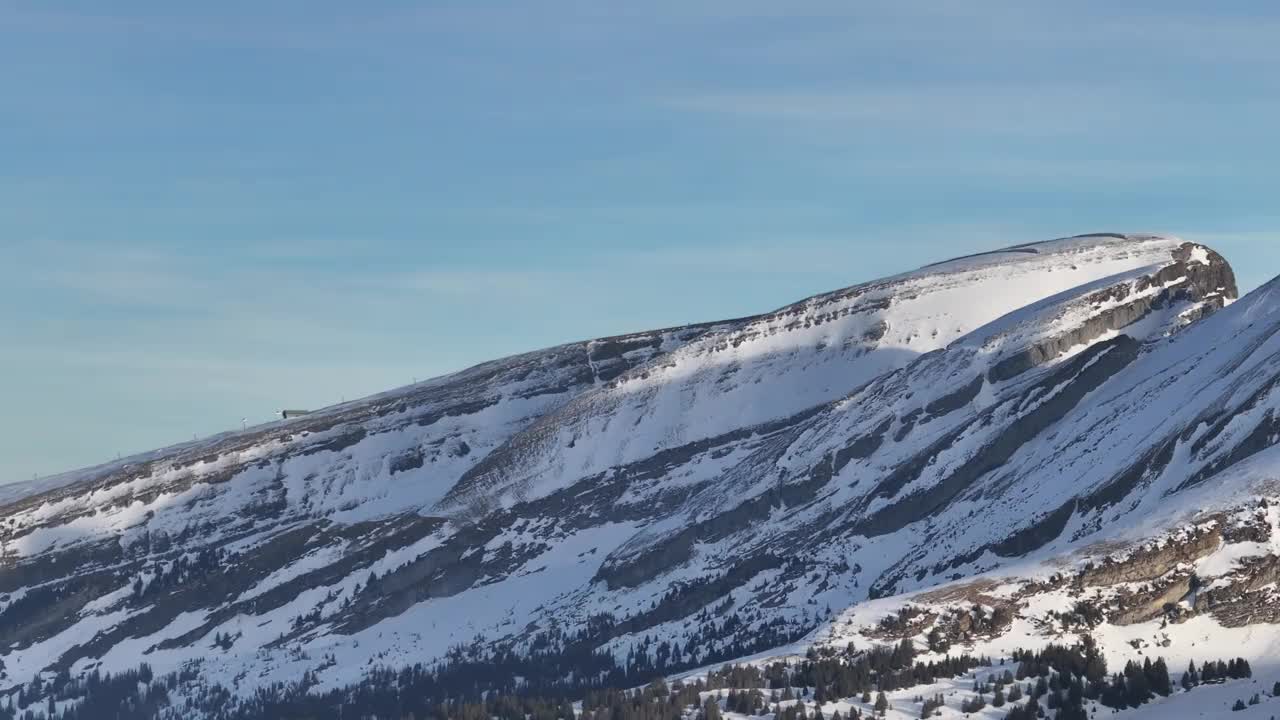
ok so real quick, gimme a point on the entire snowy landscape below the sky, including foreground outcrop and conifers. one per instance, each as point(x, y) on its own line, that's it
point(1035, 482)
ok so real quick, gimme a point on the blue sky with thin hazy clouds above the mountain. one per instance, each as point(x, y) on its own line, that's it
point(214, 211)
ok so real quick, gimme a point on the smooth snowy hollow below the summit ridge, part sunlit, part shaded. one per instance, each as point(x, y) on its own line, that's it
point(788, 362)
